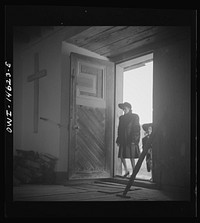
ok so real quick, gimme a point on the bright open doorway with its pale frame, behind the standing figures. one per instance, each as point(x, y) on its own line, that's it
point(136, 79)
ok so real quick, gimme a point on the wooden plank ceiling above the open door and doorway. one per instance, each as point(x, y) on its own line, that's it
point(116, 40)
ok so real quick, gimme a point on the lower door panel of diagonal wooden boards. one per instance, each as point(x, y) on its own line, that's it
point(90, 150)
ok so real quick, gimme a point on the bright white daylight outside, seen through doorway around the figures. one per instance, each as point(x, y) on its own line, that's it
point(138, 90)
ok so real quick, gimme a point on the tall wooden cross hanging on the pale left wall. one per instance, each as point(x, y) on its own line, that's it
point(35, 77)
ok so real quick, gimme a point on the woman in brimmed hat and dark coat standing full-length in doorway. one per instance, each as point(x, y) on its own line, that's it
point(128, 136)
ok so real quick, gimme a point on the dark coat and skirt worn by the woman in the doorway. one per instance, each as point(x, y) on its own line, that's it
point(128, 133)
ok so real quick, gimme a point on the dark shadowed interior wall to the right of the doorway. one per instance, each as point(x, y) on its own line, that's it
point(172, 92)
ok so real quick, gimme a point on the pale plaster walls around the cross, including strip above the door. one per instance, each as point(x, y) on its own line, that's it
point(54, 55)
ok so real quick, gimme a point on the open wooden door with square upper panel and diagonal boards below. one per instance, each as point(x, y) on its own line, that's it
point(91, 118)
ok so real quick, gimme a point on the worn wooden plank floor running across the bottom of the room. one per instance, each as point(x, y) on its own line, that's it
point(88, 190)
